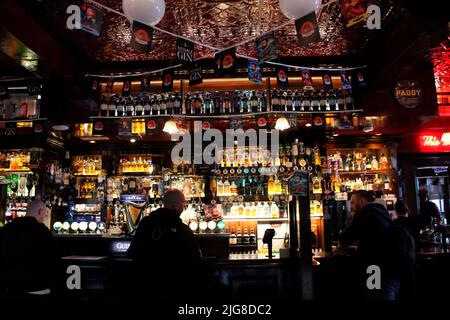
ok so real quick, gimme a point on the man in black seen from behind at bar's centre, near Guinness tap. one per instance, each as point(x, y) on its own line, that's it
point(165, 253)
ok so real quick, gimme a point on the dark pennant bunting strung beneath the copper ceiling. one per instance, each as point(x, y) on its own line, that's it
point(225, 59)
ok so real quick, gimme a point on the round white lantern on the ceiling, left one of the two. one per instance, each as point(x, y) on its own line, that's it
point(149, 12)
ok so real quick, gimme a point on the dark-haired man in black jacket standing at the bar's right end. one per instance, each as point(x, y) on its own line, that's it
point(369, 227)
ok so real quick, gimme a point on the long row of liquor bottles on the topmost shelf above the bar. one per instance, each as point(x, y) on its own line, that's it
point(226, 102)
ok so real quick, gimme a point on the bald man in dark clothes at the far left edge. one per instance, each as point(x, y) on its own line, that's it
point(27, 256)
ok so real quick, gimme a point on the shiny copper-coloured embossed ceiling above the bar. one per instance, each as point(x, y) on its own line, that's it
point(218, 23)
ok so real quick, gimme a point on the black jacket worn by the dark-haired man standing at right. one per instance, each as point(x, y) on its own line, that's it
point(368, 228)
